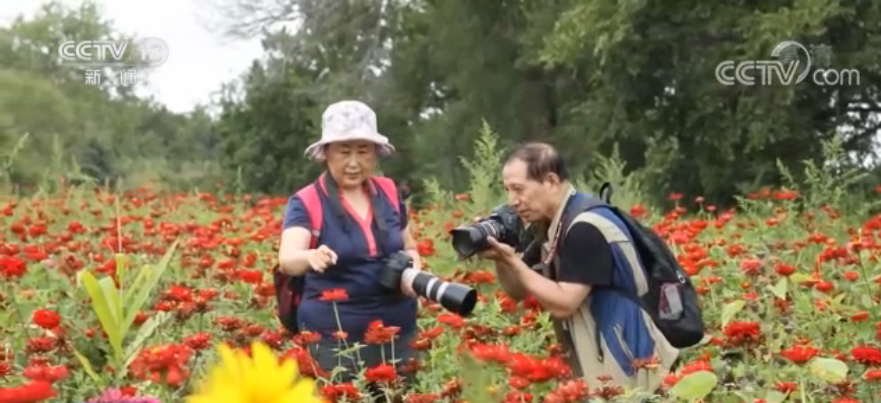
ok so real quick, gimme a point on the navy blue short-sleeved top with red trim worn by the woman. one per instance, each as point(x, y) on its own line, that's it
point(360, 259)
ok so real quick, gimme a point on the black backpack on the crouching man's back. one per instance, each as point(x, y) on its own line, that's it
point(671, 300)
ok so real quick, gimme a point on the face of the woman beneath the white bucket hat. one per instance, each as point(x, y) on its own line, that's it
point(350, 162)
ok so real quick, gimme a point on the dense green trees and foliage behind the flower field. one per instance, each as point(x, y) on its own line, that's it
point(586, 75)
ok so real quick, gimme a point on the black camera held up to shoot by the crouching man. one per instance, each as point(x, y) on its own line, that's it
point(503, 224)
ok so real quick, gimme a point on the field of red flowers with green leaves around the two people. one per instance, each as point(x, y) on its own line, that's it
point(134, 291)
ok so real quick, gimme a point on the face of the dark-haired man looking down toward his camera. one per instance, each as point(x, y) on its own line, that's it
point(529, 197)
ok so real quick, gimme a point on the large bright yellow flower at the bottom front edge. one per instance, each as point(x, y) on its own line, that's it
point(238, 378)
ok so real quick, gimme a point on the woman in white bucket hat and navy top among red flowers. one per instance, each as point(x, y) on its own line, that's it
point(359, 229)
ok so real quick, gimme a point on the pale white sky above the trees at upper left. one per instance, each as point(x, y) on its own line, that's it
point(199, 60)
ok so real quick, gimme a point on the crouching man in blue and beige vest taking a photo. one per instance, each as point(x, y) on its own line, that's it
point(583, 278)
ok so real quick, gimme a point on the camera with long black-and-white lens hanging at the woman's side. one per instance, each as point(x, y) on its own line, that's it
point(454, 297)
